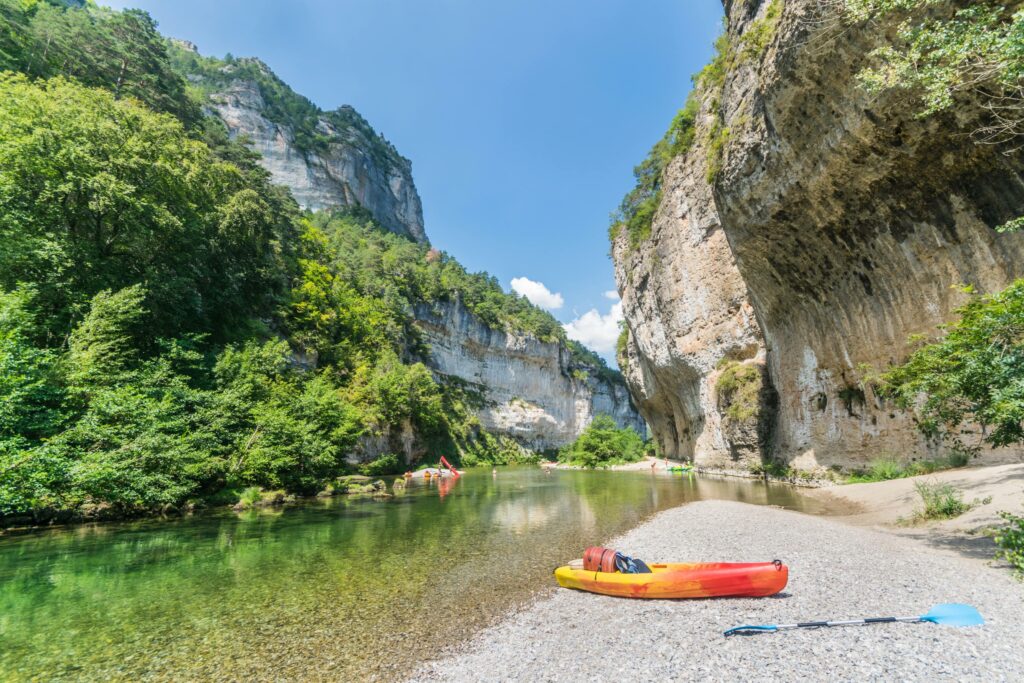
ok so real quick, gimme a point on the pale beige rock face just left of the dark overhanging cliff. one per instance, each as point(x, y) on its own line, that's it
point(688, 313)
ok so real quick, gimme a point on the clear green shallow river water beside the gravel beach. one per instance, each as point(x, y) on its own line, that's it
point(335, 590)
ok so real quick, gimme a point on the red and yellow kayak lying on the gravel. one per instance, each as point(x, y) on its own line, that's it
point(709, 580)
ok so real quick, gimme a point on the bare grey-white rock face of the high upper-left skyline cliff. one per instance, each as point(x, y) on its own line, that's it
point(345, 174)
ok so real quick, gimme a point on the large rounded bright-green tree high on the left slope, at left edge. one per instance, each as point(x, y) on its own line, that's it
point(102, 194)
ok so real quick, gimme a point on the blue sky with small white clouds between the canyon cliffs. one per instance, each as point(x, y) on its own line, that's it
point(524, 118)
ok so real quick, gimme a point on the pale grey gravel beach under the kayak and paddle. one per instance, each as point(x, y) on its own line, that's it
point(837, 572)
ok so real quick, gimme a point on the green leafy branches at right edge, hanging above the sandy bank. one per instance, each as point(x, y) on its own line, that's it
point(975, 372)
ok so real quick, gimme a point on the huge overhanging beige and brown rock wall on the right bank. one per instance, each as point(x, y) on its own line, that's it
point(838, 226)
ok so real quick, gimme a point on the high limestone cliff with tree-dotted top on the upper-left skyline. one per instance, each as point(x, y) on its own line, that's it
point(327, 159)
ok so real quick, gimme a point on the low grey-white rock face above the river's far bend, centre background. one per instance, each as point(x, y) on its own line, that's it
point(531, 390)
